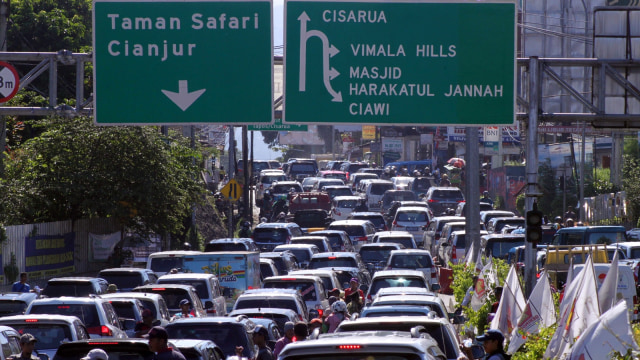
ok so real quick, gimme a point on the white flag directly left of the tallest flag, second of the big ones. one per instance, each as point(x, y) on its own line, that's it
point(539, 312)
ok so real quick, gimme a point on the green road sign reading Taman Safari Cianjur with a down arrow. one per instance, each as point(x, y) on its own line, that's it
point(182, 62)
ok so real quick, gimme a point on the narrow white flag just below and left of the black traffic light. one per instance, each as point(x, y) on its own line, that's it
point(511, 304)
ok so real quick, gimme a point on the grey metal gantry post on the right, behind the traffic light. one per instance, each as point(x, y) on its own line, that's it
point(532, 171)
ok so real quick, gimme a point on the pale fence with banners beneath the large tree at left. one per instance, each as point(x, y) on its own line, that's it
point(44, 236)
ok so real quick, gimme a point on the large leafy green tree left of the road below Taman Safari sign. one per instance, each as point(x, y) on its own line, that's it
point(77, 170)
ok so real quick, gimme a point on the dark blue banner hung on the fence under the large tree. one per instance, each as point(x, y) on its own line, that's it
point(52, 254)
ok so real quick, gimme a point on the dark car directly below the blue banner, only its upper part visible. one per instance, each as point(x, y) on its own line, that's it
point(74, 286)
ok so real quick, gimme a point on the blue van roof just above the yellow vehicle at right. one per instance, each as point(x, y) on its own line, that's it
point(585, 235)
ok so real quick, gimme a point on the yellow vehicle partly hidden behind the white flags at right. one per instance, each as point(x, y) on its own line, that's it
point(560, 257)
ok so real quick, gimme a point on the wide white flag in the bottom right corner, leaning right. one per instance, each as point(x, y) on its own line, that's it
point(611, 332)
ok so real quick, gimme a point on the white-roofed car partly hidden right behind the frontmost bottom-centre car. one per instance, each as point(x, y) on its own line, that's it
point(438, 328)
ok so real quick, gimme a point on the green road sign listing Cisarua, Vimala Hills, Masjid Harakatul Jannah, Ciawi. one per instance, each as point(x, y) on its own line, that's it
point(400, 62)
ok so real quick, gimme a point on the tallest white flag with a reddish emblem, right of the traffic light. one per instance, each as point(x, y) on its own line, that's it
point(579, 309)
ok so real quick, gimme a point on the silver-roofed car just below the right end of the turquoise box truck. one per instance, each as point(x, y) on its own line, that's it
point(273, 298)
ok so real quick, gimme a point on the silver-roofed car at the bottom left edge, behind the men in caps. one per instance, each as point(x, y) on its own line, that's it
point(50, 330)
